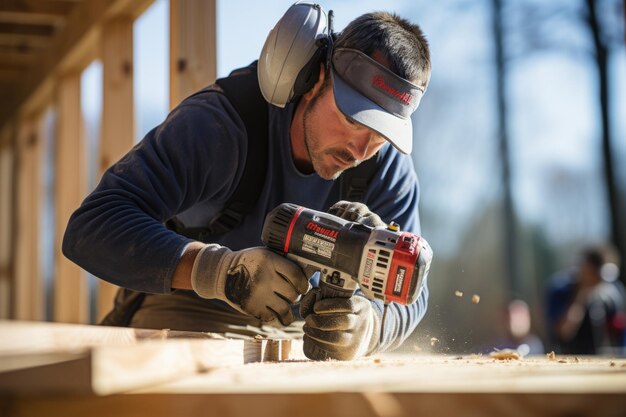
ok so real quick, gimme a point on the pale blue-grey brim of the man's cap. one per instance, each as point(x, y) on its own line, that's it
point(397, 130)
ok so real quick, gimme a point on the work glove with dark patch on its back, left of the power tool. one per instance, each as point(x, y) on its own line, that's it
point(255, 281)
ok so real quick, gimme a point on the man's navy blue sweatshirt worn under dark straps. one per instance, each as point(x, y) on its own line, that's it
point(188, 167)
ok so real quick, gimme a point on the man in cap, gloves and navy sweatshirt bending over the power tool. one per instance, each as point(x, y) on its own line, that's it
point(189, 166)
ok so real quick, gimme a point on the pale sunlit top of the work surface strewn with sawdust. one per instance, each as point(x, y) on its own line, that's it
point(423, 373)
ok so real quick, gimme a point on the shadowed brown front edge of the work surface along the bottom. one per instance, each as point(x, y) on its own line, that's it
point(334, 404)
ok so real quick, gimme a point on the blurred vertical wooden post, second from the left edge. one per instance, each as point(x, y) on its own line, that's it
point(29, 294)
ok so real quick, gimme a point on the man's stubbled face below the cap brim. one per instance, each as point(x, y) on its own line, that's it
point(334, 142)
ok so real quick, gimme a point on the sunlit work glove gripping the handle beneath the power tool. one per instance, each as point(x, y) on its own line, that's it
point(339, 328)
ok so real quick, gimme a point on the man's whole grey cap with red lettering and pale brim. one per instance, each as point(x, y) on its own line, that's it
point(374, 96)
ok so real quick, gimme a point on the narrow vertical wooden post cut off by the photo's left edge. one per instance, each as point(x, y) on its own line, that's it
point(7, 203)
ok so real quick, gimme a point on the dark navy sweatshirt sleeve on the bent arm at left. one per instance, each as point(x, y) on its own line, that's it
point(118, 234)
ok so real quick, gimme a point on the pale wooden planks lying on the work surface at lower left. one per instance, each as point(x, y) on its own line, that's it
point(105, 360)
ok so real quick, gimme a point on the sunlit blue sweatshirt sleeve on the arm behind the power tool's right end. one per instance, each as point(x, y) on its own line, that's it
point(394, 196)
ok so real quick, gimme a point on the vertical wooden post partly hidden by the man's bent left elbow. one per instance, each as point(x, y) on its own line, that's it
point(71, 289)
